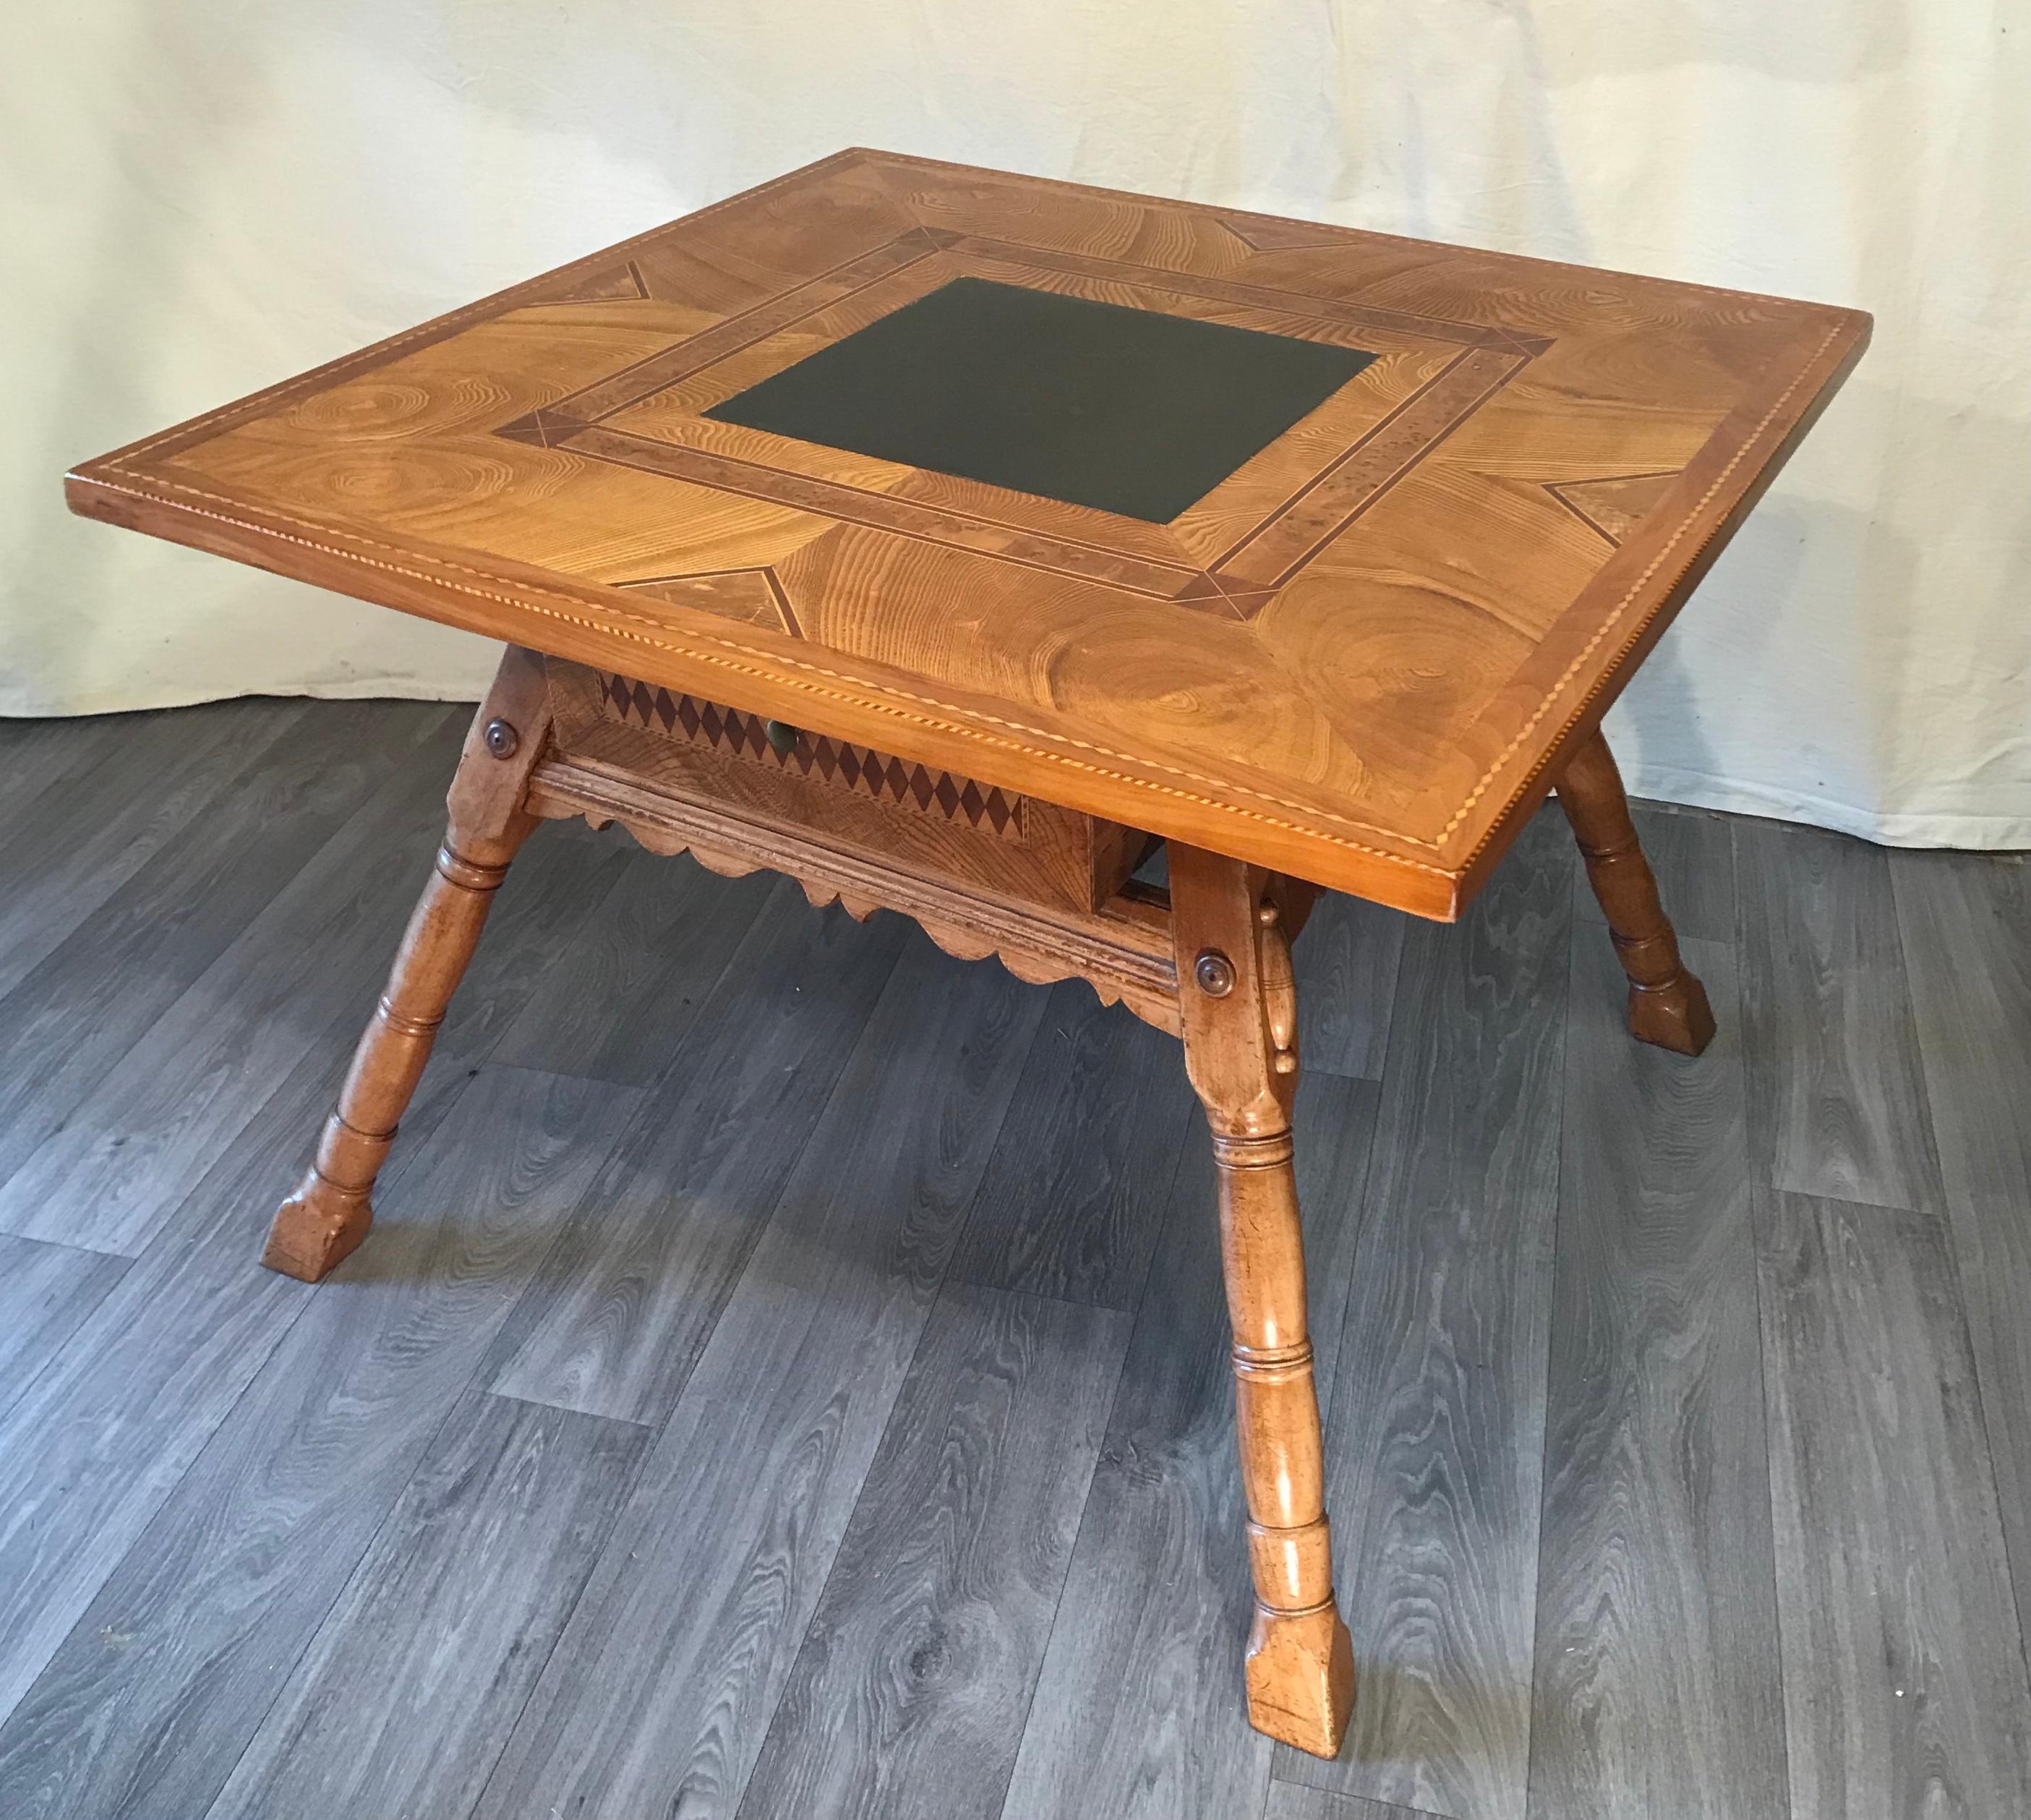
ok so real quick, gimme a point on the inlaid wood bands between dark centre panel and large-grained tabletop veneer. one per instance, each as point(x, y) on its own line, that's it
point(1234, 576)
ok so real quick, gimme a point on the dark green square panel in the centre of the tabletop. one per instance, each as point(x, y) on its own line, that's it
point(1090, 403)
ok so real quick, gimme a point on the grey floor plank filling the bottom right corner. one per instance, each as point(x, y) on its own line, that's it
point(1904, 1677)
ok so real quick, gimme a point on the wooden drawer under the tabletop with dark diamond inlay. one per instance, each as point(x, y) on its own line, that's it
point(850, 797)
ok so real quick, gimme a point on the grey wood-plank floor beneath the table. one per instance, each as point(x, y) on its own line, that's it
point(789, 1370)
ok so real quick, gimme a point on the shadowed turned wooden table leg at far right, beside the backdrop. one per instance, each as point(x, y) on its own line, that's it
point(1666, 1004)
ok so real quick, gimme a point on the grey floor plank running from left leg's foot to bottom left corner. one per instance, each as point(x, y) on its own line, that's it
point(245, 1561)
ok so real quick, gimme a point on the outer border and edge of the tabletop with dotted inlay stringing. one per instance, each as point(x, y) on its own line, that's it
point(1516, 744)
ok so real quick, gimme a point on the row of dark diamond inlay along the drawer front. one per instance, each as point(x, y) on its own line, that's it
point(858, 769)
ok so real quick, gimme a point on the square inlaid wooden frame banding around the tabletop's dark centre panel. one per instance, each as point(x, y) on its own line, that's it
point(1238, 582)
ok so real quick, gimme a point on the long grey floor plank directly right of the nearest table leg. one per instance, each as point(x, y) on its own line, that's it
point(1435, 1451)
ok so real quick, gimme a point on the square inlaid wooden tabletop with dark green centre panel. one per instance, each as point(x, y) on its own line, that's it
point(1307, 545)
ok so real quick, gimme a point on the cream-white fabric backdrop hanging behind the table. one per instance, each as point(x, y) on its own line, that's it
point(202, 198)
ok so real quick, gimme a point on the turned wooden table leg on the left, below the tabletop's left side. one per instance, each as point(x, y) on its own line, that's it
point(330, 1214)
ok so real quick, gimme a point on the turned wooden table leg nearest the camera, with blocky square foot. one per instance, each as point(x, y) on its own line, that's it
point(1242, 1051)
